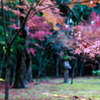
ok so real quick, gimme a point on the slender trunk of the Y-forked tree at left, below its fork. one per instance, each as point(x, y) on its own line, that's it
point(7, 74)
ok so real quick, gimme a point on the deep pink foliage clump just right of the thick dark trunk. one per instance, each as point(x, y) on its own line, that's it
point(41, 29)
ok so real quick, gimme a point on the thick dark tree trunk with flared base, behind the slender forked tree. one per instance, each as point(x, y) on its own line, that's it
point(21, 72)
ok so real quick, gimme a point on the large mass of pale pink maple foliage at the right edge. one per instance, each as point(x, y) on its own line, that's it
point(88, 36)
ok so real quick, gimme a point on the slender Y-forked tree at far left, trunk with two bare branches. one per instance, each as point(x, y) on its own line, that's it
point(9, 43)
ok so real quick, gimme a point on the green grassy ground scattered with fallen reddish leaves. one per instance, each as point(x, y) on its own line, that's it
point(55, 89)
